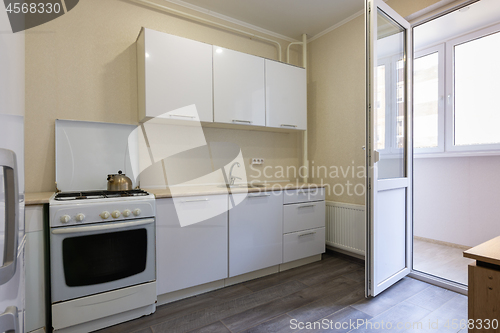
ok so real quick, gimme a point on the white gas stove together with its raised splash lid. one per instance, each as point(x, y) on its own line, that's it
point(102, 243)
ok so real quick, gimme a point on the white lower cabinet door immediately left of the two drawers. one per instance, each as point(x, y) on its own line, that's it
point(255, 232)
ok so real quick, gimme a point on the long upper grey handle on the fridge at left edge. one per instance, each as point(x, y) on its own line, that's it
point(8, 162)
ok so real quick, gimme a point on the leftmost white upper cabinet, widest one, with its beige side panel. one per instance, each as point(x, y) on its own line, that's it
point(174, 74)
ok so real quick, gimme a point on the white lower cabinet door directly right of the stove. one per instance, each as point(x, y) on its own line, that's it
point(192, 255)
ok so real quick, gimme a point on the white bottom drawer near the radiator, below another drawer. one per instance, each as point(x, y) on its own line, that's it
point(303, 244)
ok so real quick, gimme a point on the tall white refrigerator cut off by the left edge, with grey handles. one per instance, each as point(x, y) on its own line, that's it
point(11, 177)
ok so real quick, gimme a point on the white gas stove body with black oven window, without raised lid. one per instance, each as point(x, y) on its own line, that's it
point(102, 258)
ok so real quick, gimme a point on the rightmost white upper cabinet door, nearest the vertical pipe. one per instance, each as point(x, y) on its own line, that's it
point(286, 91)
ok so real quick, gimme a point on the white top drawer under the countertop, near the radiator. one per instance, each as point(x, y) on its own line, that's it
point(303, 216)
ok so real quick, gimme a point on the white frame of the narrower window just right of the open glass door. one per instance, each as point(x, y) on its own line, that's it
point(440, 50)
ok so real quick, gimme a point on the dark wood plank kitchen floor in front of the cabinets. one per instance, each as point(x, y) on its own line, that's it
point(329, 291)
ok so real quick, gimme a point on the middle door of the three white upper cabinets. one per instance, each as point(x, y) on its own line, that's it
point(238, 88)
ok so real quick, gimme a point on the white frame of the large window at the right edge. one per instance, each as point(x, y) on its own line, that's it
point(450, 92)
